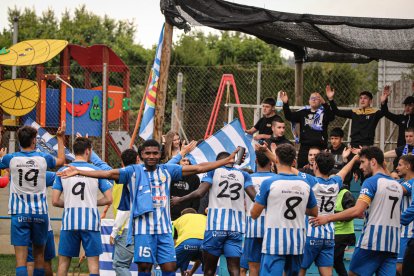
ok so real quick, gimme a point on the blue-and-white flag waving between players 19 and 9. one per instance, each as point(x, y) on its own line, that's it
point(46, 142)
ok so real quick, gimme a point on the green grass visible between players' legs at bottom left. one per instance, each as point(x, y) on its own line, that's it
point(8, 264)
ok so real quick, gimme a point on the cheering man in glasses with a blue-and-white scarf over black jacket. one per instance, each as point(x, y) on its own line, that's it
point(313, 121)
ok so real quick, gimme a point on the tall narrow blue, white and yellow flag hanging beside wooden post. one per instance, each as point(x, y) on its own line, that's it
point(146, 129)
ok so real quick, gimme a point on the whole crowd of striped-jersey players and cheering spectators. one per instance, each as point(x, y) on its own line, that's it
point(294, 210)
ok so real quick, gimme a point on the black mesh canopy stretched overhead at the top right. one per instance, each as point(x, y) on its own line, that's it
point(310, 37)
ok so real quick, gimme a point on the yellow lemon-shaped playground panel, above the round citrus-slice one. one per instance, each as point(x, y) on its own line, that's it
point(32, 52)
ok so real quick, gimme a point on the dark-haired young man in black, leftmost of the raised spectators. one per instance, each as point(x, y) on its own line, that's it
point(264, 125)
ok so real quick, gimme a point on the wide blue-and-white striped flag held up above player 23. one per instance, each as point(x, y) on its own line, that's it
point(226, 139)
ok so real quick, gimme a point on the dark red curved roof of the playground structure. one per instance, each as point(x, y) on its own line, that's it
point(92, 58)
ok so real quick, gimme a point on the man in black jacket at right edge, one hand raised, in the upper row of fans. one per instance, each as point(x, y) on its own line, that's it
point(404, 120)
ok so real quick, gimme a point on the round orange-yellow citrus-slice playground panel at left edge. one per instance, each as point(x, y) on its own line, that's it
point(19, 96)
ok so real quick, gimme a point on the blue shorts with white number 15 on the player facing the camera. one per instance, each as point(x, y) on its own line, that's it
point(154, 249)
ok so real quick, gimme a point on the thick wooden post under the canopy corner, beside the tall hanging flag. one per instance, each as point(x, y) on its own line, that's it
point(163, 82)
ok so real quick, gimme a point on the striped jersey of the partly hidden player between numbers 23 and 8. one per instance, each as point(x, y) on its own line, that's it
point(255, 227)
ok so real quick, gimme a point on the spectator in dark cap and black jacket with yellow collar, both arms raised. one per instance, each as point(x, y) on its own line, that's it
point(364, 118)
